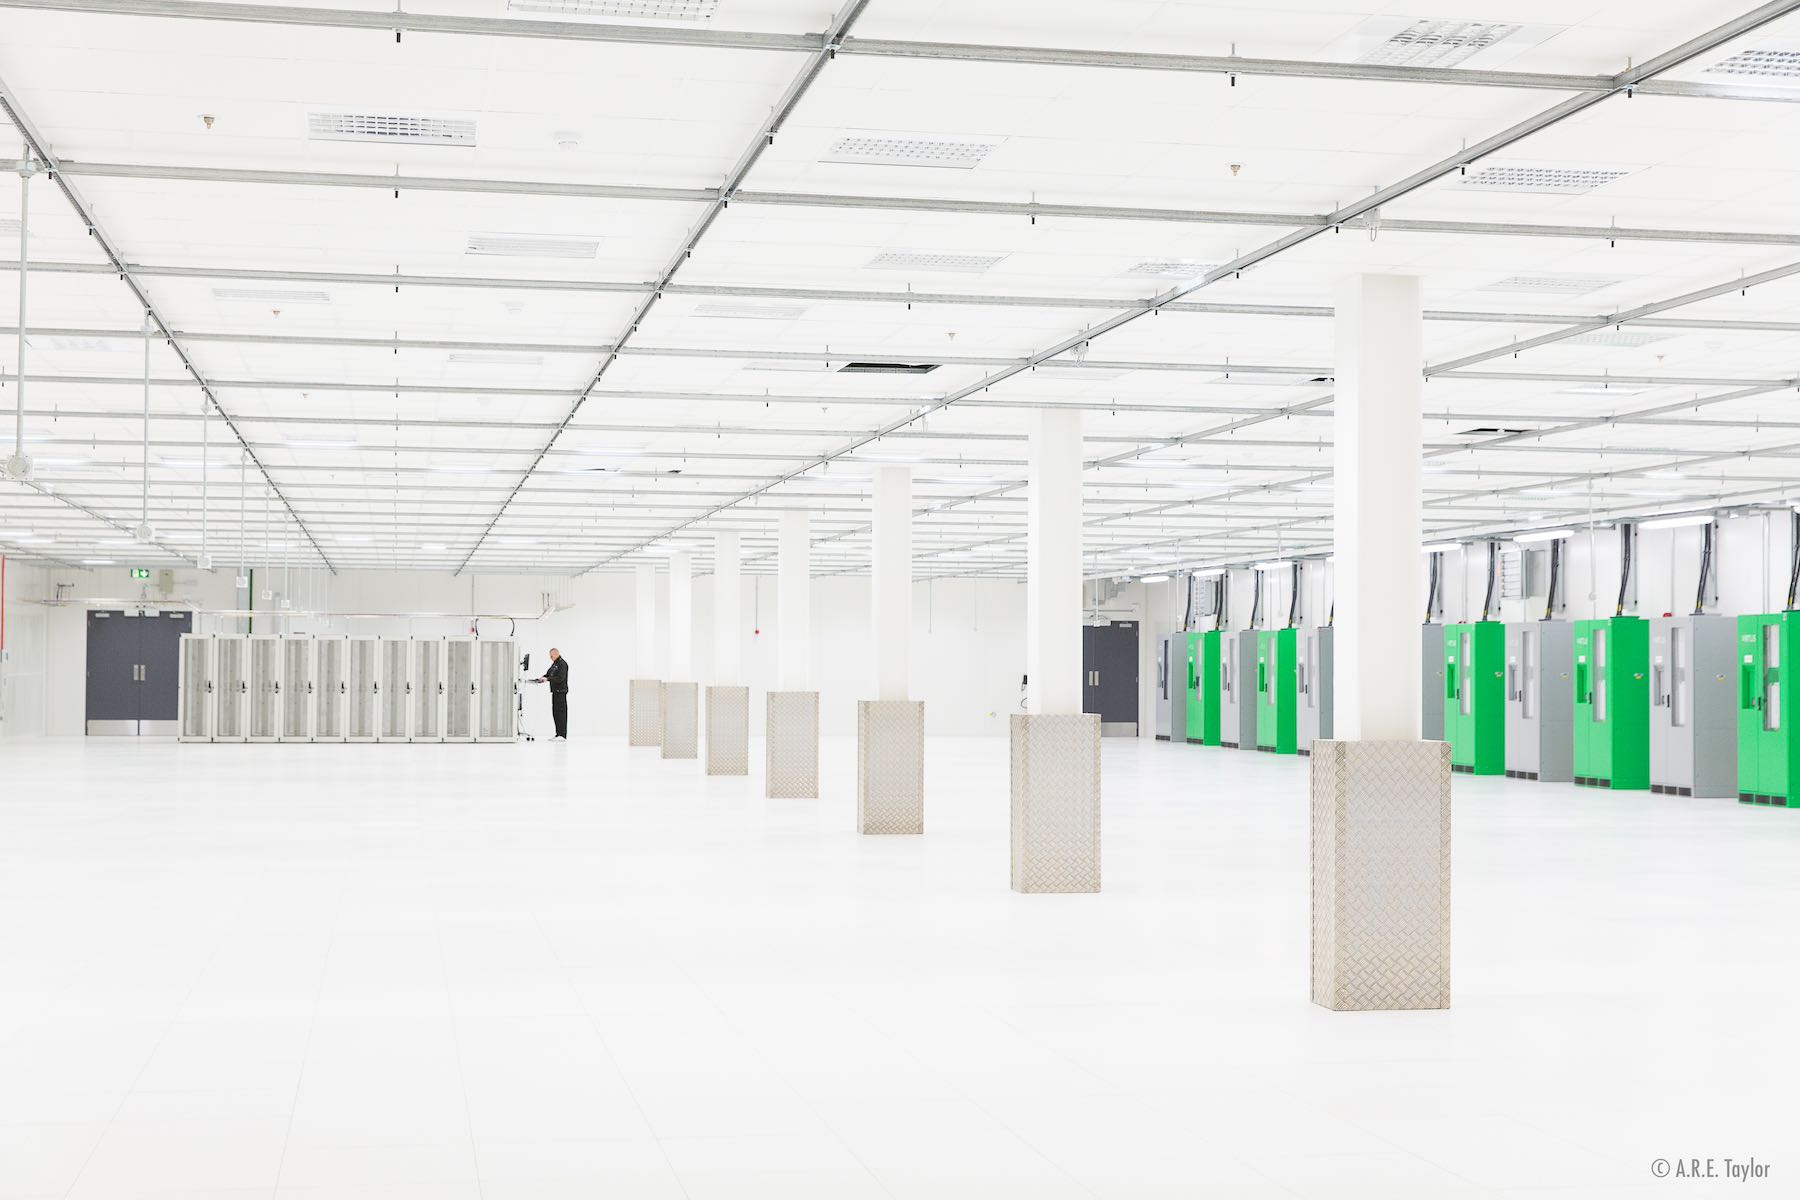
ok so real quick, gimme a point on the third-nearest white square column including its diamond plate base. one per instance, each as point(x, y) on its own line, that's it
point(892, 730)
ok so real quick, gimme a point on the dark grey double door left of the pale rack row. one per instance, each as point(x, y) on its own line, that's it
point(136, 672)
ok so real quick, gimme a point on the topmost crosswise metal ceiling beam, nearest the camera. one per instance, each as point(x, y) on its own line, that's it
point(831, 42)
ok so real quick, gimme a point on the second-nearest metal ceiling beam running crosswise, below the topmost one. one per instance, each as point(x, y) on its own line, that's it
point(904, 204)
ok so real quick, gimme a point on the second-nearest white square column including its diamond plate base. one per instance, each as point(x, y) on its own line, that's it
point(1056, 748)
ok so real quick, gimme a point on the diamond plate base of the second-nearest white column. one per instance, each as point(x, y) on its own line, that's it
point(1056, 803)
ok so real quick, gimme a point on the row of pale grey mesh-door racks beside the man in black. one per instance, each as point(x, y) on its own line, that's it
point(282, 688)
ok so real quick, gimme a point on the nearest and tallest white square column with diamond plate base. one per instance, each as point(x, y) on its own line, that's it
point(1381, 798)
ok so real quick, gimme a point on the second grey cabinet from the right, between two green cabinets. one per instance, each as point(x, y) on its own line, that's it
point(1540, 701)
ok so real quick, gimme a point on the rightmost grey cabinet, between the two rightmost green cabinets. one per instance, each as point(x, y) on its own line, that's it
point(1695, 706)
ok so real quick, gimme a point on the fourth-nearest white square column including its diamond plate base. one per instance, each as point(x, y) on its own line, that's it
point(791, 744)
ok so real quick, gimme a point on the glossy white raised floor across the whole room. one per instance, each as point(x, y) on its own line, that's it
point(577, 971)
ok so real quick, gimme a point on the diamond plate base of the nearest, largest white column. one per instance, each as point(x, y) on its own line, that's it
point(1381, 875)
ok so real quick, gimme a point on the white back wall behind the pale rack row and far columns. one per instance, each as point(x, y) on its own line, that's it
point(967, 640)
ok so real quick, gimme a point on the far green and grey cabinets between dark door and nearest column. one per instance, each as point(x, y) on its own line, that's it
point(1246, 690)
